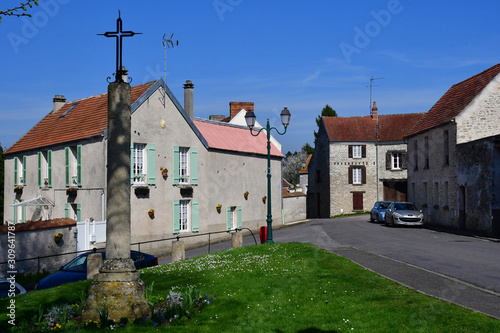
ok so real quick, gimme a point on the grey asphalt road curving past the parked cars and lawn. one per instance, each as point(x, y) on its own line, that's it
point(462, 269)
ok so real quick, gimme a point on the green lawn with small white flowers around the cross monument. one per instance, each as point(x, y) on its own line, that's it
point(284, 288)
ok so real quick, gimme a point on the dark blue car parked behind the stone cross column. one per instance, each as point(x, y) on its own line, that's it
point(76, 269)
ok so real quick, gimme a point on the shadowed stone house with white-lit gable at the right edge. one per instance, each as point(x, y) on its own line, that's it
point(454, 156)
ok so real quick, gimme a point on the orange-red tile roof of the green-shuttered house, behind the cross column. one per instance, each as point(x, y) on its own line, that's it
point(88, 118)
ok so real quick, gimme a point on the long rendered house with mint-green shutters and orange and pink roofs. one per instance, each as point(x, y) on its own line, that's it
point(62, 160)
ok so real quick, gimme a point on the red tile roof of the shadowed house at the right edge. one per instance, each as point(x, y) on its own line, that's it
point(455, 100)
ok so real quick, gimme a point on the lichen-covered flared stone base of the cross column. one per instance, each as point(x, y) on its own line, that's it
point(119, 288)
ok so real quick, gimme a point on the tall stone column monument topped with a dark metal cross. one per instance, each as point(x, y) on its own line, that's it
point(118, 285)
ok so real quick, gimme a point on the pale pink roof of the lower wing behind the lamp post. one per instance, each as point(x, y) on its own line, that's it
point(234, 138)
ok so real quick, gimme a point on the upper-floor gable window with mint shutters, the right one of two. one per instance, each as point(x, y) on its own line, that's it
point(185, 165)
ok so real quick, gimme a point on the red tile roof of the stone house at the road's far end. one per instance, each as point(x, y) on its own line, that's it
point(391, 127)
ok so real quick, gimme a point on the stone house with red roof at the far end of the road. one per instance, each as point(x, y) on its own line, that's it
point(358, 161)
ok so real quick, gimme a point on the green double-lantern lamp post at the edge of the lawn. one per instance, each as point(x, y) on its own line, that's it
point(285, 120)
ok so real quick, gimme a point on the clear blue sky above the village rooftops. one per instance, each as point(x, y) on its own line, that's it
point(292, 53)
